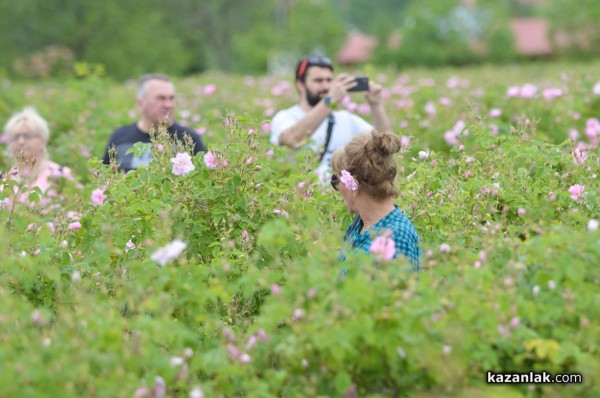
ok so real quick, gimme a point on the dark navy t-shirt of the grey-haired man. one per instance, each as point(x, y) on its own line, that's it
point(125, 137)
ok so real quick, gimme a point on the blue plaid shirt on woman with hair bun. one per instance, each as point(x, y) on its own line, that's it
point(403, 232)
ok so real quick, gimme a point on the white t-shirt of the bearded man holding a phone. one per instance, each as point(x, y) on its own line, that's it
point(346, 126)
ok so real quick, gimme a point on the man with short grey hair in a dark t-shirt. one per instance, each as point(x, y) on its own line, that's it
point(156, 101)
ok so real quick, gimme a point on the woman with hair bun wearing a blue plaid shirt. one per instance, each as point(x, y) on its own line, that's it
point(363, 172)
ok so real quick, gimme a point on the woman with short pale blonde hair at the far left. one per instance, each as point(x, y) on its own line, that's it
point(27, 134)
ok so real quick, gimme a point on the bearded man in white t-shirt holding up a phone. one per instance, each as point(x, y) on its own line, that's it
point(317, 119)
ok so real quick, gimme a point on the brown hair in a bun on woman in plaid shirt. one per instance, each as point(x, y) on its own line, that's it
point(369, 158)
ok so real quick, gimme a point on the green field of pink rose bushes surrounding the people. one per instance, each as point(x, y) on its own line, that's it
point(222, 278)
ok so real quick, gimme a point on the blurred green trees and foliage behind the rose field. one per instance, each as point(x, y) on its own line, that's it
point(124, 38)
